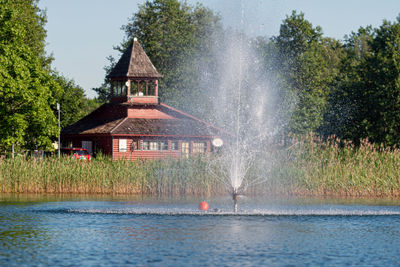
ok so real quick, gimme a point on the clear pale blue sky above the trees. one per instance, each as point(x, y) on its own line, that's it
point(81, 34)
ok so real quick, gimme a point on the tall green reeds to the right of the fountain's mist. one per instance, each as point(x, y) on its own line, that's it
point(336, 168)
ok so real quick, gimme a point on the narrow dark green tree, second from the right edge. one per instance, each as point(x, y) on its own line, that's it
point(345, 110)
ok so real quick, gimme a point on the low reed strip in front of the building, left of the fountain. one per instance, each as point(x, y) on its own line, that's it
point(105, 176)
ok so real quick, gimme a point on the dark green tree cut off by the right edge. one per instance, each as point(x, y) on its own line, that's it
point(380, 80)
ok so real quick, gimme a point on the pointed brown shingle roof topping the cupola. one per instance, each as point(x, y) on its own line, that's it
point(134, 63)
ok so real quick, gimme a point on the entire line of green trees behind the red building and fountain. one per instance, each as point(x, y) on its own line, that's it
point(349, 88)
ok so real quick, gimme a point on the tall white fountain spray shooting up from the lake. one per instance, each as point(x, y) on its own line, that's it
point(244, 106)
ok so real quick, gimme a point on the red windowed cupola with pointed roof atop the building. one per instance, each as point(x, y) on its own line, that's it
point(134, 79)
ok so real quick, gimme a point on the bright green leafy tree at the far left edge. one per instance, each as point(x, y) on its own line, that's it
point(25, 85)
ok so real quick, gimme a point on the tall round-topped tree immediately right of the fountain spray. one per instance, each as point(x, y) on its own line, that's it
point(306, 70)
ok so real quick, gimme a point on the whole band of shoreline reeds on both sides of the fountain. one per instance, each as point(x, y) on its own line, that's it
point(307, 166)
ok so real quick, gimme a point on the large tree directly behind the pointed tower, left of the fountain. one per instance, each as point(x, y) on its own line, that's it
point(178, 39)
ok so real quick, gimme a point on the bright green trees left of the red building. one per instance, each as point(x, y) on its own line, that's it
point(29, 87)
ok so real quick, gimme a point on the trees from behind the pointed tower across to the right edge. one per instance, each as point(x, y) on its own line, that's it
point(348, 88)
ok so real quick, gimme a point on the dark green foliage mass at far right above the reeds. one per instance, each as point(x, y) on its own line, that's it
point(365, 102)
